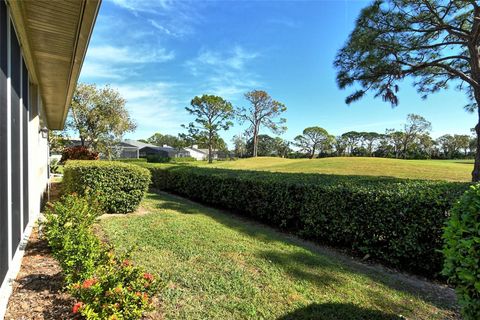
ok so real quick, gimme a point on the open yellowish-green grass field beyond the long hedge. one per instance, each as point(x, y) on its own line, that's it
point(453, 170)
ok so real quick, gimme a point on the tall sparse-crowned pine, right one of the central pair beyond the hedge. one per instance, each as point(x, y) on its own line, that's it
point(263, 111)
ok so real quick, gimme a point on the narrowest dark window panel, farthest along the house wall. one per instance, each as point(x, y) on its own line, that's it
point(25, 117)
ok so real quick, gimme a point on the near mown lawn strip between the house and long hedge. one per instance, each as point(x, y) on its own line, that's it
point(214, 265)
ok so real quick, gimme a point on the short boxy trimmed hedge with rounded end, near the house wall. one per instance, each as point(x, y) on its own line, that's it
point(119, 186)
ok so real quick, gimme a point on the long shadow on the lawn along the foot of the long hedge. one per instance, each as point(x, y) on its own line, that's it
point(301, 265)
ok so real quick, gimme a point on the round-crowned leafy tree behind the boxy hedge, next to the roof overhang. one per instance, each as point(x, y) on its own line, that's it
point(99, 117)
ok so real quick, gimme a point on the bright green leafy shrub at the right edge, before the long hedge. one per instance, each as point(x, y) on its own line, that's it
point(462, 252)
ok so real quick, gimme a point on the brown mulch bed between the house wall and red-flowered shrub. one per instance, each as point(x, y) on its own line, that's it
point(38, 291)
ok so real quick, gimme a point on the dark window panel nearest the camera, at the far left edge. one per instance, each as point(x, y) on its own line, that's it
point(3, 144)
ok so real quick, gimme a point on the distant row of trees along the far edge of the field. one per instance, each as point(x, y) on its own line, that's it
point(413, 141)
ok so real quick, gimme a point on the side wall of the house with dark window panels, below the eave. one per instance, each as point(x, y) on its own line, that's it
point(23, 154)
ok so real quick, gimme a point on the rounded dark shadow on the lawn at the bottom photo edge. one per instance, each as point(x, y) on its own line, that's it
point(337, 311)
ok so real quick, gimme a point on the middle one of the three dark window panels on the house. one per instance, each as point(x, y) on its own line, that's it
point(15, 134)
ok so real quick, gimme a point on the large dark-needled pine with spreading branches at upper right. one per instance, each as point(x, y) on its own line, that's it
point(436, 42)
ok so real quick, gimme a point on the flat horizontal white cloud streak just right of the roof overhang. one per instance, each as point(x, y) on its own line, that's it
point(130, 55)
